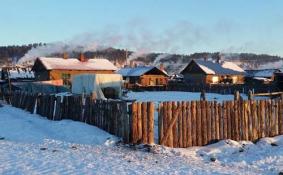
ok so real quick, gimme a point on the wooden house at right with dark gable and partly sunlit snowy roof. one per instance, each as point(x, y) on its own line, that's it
point(203, 72)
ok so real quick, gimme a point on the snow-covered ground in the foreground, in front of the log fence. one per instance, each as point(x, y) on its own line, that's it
point(30, 144)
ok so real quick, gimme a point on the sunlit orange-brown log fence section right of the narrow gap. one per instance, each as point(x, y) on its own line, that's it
point(197, 123)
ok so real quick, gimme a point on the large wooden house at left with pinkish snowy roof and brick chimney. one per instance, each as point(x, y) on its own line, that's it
point(64, 68)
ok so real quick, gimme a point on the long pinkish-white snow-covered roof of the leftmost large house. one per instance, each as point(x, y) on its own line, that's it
point(75, 64)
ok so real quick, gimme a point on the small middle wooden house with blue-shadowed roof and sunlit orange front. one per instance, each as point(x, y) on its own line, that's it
point(144, 76)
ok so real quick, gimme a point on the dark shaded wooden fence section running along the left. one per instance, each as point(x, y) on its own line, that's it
point(110, 116)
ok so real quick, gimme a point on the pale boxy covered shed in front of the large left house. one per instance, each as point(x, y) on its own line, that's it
point(101, 86)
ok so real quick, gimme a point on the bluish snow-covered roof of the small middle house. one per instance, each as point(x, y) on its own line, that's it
point(137, 71)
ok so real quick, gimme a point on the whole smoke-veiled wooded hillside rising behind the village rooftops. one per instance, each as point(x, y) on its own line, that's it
point(173, 62)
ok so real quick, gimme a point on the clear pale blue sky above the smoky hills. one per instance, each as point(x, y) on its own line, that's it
point(171, 26)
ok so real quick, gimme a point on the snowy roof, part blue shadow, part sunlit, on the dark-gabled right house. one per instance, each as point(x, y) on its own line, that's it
point(224, 68)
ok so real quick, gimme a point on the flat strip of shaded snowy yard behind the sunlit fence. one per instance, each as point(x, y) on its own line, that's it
point(158, 96)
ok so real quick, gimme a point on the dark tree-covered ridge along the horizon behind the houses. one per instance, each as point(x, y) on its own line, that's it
point(13, 53)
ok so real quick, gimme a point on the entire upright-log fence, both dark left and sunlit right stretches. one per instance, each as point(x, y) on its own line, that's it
point(179, 124)
